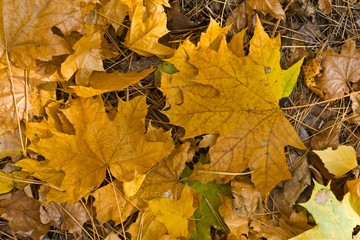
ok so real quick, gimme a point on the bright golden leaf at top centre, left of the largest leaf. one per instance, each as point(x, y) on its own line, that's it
point(144, 34)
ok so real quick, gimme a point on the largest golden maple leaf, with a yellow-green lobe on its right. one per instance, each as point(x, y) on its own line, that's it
point(239, 101)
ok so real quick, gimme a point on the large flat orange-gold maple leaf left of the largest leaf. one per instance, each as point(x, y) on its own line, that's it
point(98, 145)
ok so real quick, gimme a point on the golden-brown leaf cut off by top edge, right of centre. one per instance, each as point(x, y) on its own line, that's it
point(272, 7)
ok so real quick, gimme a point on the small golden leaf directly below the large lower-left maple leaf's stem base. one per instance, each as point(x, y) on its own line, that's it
point(110, 206)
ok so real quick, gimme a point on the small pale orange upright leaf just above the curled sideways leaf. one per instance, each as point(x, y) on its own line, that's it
point(86, 59)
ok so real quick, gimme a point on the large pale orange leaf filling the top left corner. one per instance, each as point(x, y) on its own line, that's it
point(25, 30)
